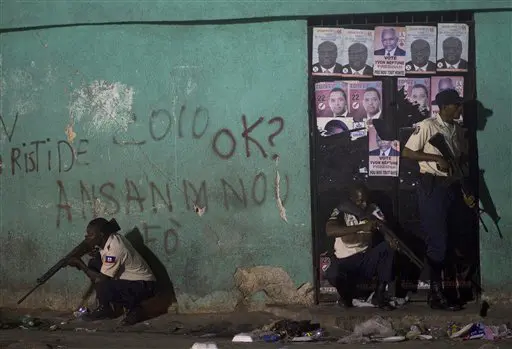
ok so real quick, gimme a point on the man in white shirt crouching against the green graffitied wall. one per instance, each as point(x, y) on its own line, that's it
point(120, 275)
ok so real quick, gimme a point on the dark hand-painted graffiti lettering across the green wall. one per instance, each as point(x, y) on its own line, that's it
point(78, 199)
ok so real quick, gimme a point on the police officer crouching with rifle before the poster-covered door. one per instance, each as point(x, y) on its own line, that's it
point(355, 259)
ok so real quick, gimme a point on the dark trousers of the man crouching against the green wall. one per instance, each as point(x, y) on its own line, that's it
point(126, 293)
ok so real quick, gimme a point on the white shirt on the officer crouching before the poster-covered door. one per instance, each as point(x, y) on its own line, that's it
point(344, 250)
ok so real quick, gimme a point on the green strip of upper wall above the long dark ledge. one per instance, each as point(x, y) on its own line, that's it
point(47, 12)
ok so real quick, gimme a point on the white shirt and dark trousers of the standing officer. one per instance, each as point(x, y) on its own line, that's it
point(437, 192)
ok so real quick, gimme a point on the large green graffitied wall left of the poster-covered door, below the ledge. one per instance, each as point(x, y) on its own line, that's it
point(183, 93)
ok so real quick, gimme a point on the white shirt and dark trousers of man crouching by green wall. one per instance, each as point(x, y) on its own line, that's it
point(131, 280)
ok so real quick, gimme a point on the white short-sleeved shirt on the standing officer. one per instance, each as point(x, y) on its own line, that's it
point(453, 134)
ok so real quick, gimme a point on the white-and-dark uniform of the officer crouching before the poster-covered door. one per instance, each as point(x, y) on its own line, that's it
point(358, 261)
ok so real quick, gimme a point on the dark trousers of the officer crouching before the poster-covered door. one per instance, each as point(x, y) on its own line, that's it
point(362, 266)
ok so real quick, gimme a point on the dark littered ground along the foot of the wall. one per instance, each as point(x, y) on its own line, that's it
point(181, 331)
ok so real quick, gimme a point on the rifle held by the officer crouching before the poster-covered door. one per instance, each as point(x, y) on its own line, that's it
point(371, 214)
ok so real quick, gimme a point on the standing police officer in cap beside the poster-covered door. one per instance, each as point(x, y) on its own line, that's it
point(439, 190)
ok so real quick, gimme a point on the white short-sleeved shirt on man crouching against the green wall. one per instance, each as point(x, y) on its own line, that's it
point(121, 261)
